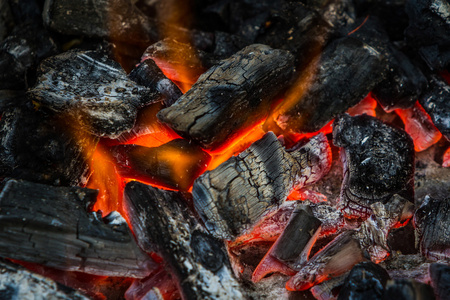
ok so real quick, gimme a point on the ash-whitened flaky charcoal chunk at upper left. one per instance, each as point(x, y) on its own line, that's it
point(93, 89)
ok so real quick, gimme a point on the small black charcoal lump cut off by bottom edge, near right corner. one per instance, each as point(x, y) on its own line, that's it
point(407, 289)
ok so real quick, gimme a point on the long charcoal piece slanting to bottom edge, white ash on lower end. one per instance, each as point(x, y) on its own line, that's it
point(164, 224)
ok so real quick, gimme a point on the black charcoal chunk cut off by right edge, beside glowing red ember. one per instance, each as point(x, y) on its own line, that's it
point(436, 104)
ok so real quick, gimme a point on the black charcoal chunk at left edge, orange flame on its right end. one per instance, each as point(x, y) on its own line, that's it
point(43, 148)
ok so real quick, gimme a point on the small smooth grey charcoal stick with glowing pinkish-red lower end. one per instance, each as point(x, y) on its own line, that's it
point(293, 246)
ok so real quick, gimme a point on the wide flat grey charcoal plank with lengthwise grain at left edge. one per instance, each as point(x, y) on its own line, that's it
point(50, 226)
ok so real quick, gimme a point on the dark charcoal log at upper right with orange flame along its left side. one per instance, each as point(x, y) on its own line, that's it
point(338, 79)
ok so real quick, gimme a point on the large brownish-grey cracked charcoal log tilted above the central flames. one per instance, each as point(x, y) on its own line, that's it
point(231, 96)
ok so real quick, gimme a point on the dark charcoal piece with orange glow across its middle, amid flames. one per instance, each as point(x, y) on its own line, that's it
point(175, 164)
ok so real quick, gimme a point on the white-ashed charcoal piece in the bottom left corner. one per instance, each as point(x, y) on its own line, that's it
point(19, 283)
